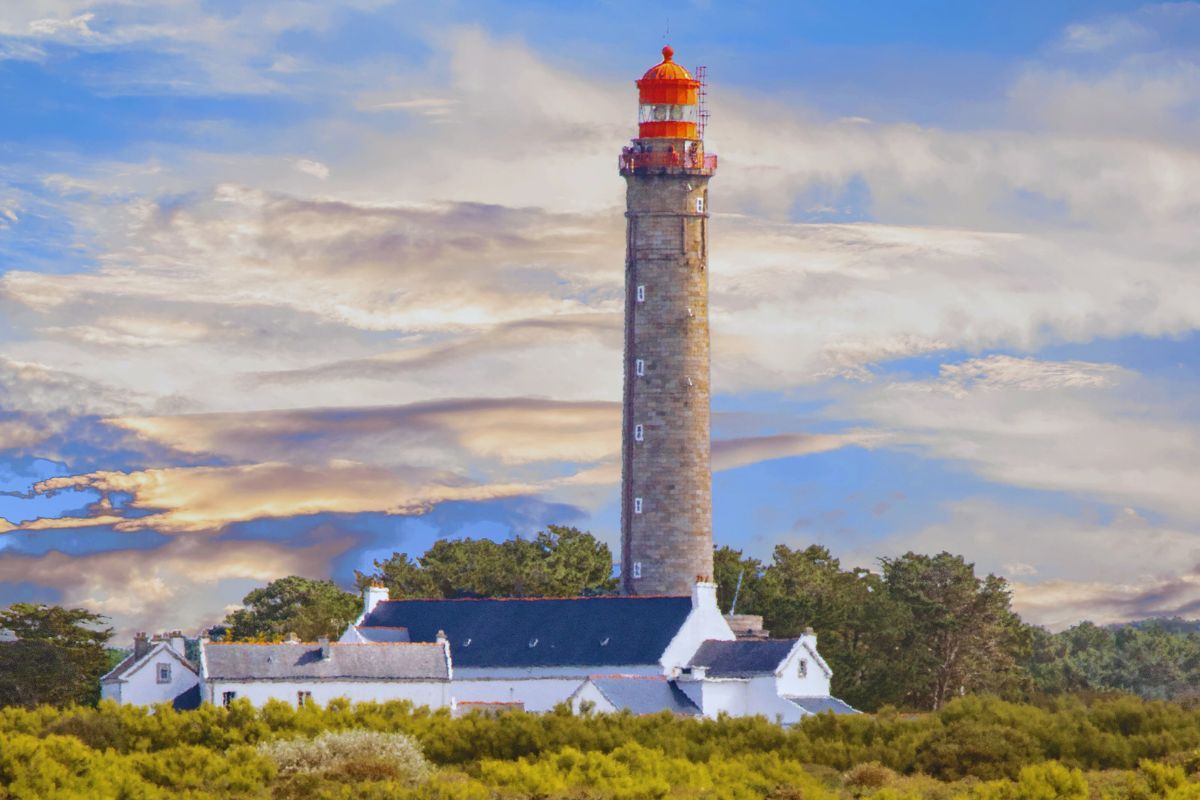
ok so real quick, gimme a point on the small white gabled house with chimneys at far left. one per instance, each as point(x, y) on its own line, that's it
point(157, 672)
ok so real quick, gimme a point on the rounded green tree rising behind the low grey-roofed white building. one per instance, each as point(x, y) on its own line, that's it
point(303, 606)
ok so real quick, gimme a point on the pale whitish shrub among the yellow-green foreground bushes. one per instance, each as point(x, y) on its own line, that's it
point(356, 755)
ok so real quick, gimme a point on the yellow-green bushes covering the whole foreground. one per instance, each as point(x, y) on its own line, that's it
point(975, 749)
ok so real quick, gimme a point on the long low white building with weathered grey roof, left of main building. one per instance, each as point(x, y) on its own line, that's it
point(299, 673)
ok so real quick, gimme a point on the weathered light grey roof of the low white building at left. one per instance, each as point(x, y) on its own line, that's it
point(239, 661)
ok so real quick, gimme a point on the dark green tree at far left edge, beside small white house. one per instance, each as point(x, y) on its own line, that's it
point(58, 658)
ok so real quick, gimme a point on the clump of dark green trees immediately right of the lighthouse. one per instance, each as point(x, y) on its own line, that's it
point(917, 633)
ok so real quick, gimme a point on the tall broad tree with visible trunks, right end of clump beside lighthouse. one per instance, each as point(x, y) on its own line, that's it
point(959, 633)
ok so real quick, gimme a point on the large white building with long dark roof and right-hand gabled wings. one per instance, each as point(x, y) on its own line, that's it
point(641, 654)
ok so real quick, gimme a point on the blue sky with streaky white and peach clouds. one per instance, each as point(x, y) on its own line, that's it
point(290, 287)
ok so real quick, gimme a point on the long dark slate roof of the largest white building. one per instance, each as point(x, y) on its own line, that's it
point(542, 633)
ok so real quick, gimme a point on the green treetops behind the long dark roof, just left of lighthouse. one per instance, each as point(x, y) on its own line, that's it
point(559, 562)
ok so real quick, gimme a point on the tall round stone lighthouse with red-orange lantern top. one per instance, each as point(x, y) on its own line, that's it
point(667, 515)
